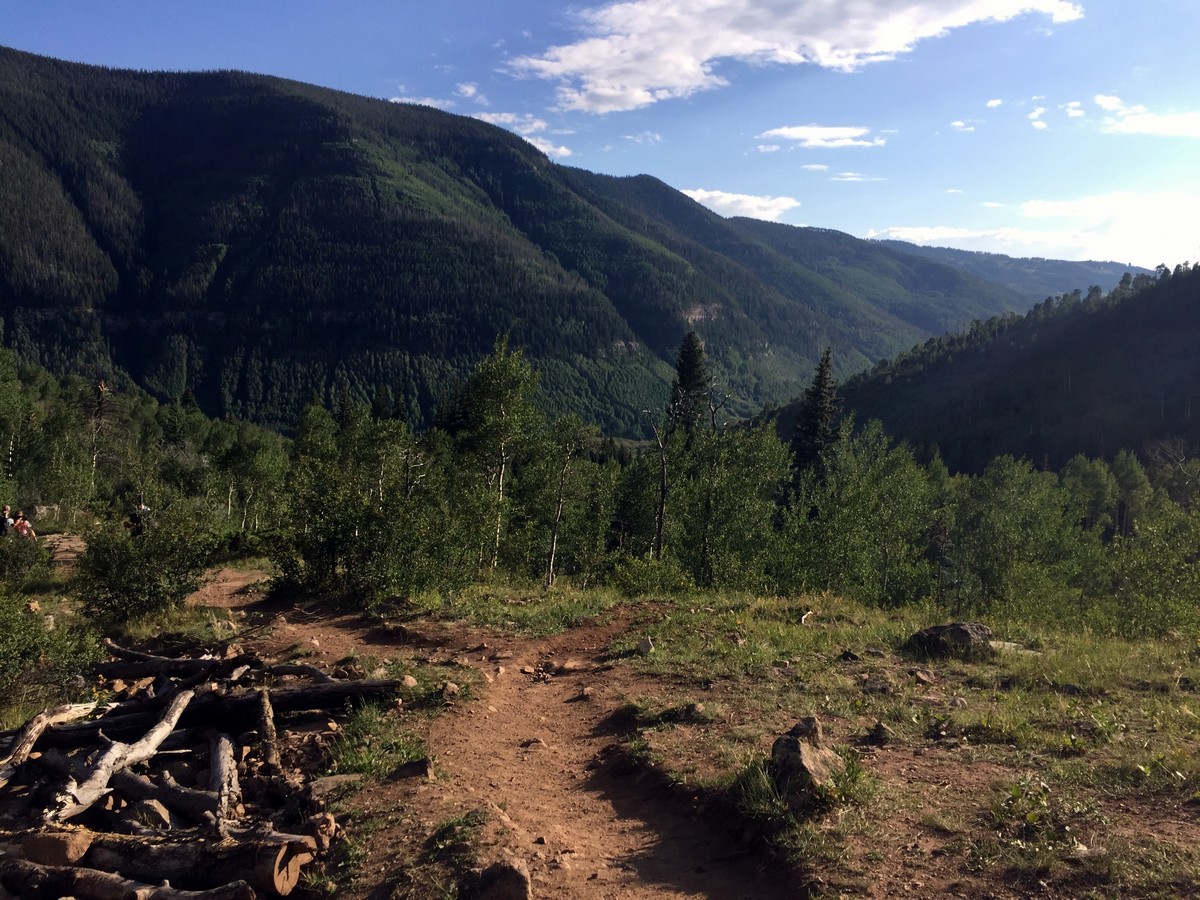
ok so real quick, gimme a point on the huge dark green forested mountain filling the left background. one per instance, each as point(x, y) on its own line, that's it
point(260, 242)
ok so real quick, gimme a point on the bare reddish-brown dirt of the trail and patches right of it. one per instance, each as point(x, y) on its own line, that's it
point(542, 763)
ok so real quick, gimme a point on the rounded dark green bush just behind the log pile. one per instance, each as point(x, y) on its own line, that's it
point(122, 578)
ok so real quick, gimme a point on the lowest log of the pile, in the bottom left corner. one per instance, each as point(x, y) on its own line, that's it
point(27, 879)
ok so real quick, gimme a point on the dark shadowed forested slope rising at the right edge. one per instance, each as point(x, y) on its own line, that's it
point(1089, 375)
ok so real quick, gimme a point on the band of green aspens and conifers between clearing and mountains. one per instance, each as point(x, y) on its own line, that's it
point(362, 511)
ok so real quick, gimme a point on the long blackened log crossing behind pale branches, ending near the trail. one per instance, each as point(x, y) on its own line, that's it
point(233, 713)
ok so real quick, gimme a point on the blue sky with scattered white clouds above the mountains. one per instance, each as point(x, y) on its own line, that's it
point(1063, 129)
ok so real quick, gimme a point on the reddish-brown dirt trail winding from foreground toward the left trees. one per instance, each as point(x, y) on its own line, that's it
point(536, 752)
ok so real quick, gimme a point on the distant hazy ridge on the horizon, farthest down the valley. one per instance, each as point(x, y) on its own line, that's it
point(1035, 279)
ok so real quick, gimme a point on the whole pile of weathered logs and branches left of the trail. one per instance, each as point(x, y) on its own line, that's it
point(190, 784)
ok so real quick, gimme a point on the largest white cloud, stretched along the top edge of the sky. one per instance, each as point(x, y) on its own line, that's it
point(635, 53)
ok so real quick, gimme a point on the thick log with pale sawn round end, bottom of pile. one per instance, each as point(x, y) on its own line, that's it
point(269, 862)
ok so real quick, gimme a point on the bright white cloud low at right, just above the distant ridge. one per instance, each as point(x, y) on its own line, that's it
point(1139, 229)
